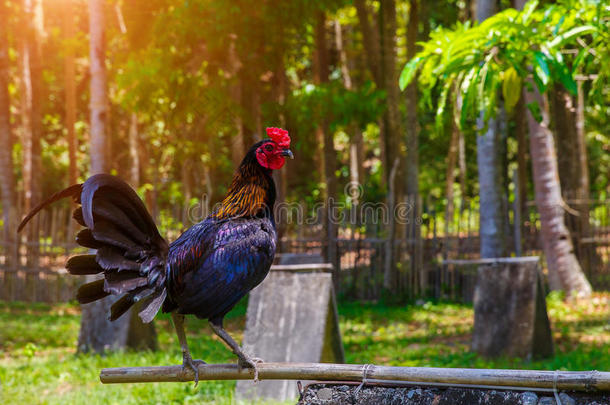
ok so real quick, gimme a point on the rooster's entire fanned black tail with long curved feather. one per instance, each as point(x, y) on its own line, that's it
point(130, 252)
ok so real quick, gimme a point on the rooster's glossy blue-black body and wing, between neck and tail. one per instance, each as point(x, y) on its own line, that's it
point(216, 262)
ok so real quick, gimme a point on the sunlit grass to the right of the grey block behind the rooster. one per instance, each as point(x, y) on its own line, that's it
point(438, 335)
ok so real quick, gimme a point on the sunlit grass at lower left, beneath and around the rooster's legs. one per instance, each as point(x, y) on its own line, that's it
point(38, 363)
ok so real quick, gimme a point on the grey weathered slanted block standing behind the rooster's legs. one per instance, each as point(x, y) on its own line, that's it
point(292, 317)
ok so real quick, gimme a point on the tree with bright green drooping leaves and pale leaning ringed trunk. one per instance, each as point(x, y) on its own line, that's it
point(500, 54)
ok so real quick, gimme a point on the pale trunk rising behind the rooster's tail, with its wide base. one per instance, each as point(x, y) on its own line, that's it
point(97, 333)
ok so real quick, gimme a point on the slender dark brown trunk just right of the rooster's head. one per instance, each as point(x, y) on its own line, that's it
point(321, 72)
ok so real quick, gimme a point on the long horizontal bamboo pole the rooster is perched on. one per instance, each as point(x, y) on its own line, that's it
point(560, 380)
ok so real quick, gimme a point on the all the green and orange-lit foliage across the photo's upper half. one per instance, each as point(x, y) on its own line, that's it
point(192, 71)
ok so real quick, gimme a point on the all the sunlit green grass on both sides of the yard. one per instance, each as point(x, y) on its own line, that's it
point(38, 363)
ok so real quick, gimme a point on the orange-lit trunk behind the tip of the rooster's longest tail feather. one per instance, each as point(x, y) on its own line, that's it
point(31, 98)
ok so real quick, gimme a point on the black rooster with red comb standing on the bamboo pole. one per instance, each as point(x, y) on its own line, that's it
point(205, 272)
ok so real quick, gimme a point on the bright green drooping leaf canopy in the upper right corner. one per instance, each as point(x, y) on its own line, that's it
point(505, 50)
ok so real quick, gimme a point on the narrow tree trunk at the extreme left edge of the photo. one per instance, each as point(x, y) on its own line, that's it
point(7, 178)
